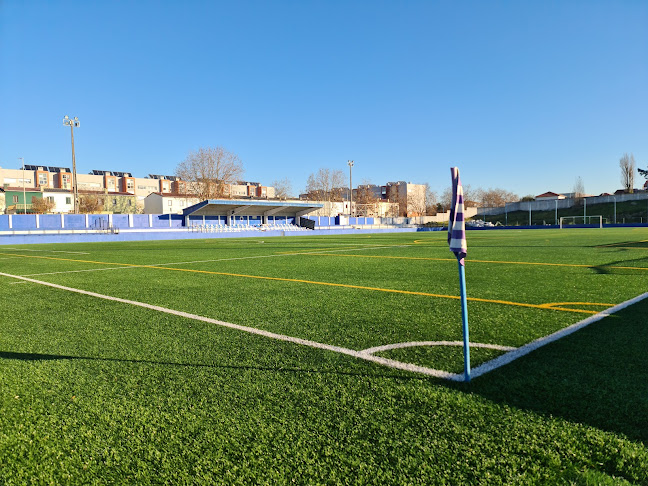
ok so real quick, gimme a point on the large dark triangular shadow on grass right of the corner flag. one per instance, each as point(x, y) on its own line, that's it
point(597, 376)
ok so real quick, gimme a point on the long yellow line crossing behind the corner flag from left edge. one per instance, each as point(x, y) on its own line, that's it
point(330, 284)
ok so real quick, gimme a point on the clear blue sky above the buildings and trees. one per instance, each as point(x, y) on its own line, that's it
point(522, 95)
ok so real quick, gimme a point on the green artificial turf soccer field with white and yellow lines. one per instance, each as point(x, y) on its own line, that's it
point(325, 359)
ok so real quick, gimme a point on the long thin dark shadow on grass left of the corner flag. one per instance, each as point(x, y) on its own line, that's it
point(56, 357)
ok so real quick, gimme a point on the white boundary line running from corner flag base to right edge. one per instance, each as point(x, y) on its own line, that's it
point(538, 343)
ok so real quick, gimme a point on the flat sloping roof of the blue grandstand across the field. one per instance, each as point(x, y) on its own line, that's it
point(213, 207)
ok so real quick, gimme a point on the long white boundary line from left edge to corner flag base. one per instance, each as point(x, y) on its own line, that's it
point(281, 337)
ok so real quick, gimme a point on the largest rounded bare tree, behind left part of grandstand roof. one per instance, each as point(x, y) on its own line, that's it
point(210, 171)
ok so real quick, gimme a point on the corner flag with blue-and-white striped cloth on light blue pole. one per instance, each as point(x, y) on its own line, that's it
point(457, 242)
